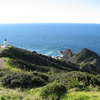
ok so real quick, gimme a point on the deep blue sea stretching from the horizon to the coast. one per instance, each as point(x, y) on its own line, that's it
point(49, 38)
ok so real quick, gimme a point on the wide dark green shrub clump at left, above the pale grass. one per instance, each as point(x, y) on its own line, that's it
point(22, 80)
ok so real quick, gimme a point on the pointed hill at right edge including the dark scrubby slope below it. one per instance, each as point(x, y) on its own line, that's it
point(88, 60)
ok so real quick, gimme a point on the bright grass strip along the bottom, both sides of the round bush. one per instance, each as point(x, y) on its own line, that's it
point(18, 94)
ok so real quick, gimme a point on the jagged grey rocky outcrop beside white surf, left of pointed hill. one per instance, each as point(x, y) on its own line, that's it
point(67, 54)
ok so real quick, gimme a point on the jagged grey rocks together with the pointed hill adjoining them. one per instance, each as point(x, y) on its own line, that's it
point(84, 56)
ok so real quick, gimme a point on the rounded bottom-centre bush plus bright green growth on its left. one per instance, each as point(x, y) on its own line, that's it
point(53, 91)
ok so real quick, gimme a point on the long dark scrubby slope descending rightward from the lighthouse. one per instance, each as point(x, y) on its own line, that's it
point(27, 60)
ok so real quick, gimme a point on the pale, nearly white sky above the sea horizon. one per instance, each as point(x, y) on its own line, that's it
point(49, 11)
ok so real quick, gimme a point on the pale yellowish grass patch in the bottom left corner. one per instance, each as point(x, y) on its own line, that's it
point(17, 94)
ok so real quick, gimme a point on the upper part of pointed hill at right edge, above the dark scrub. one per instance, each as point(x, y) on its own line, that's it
point(86, 56)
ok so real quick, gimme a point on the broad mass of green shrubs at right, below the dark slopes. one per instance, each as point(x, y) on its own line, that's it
point(75, 79)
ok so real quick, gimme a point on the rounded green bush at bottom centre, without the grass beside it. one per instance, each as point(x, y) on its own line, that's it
point(52, 91)
